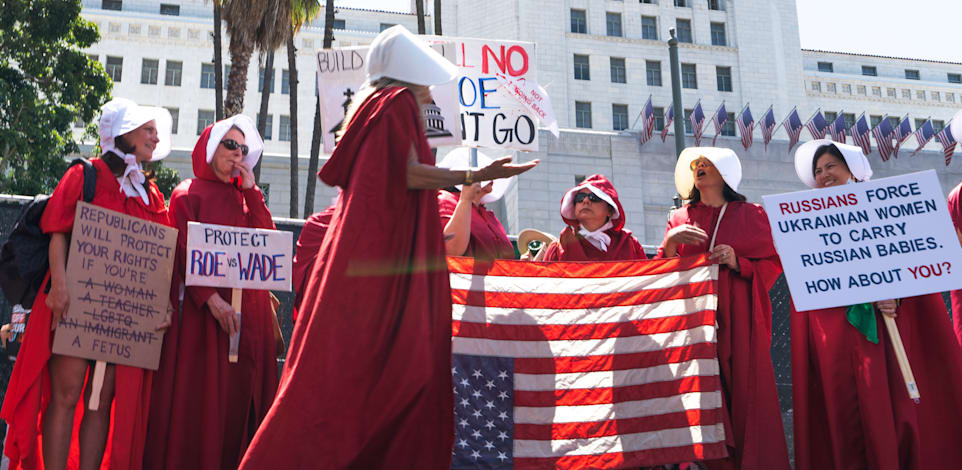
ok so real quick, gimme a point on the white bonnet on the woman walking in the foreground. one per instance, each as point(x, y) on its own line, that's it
point(398, 54)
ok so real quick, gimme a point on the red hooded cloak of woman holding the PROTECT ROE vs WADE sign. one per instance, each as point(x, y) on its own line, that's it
point(205, 410)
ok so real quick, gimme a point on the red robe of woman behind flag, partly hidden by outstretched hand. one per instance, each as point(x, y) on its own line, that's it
point(488, 239)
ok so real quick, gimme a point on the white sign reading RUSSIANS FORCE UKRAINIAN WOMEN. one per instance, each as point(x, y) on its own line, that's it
point(863, 242)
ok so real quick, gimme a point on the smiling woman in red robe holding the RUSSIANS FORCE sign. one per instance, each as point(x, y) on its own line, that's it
point(851, 406)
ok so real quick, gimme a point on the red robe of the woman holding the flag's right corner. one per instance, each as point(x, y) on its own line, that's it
point(754, 430)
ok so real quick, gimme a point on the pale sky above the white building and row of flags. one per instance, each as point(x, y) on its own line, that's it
point(920, 29)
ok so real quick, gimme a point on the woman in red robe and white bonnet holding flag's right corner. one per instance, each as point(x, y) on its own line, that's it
point(736, 233)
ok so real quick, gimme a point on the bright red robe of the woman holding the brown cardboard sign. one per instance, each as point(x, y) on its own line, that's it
point(28, 392)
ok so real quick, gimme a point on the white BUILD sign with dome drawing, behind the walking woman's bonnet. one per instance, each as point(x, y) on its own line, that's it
point(341, 71)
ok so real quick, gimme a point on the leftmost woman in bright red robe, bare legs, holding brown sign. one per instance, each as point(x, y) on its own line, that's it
point(45, 389)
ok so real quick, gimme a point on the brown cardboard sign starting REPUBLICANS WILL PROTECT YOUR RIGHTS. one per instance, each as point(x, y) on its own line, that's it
point(118, 278)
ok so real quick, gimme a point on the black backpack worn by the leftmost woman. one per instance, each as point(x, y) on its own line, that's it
point(24, 258)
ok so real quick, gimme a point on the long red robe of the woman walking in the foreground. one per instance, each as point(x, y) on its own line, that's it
point(367, 382)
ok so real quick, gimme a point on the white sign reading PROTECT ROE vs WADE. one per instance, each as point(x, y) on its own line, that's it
point(238, 257)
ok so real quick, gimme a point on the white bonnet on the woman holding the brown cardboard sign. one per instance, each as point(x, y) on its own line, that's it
point(120, 116)
